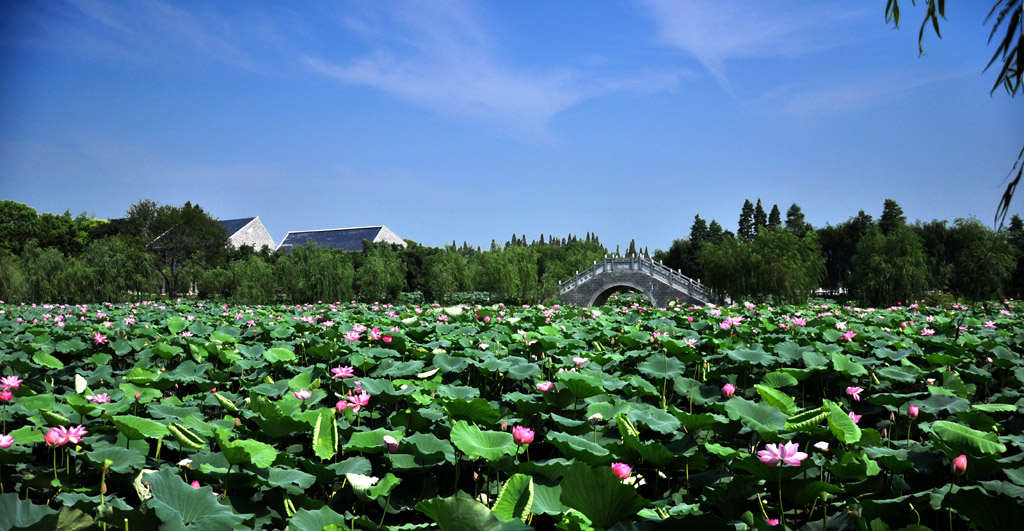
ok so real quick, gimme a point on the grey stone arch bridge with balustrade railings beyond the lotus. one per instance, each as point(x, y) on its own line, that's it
point(660, 284)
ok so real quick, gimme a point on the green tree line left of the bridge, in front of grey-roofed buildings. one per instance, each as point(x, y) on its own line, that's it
point(161, 249)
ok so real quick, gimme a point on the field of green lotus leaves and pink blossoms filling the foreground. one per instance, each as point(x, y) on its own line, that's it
point(204, 416)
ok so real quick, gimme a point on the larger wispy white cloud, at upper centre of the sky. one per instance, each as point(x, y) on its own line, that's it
point(440, 56)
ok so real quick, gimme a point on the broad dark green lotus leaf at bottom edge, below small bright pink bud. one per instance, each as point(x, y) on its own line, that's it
point(600, 495)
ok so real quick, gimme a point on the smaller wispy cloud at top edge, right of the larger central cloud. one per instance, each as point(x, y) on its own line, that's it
point(715, 32)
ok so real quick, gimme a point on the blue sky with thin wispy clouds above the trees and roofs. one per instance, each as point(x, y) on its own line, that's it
point(475, 121)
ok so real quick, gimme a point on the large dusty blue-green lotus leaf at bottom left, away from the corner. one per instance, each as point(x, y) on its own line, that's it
point(182, 507)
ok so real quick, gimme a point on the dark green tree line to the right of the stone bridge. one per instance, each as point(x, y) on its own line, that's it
point(875, 263)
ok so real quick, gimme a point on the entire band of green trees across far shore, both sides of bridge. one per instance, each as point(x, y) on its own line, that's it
point(180, 250)
